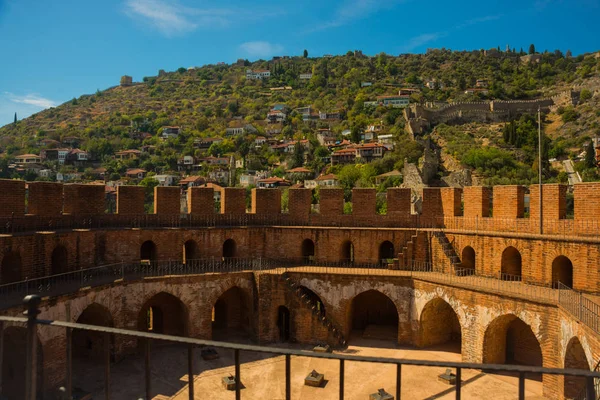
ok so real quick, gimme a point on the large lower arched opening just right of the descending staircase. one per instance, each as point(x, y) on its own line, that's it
point(373, 315)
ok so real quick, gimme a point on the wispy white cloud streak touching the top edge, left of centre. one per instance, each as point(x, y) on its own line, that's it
point(172, 18)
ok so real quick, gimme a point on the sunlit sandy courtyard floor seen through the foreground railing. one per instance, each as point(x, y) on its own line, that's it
point(263, 375)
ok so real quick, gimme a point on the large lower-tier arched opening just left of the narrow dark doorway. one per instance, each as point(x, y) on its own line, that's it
point(231, 315)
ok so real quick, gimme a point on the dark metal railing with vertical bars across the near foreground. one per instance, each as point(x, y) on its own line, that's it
point(32, 322)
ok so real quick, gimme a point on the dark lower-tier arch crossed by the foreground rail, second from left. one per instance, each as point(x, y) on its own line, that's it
point(89, 345)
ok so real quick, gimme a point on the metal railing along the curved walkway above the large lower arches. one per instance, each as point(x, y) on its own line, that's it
point(574, 302)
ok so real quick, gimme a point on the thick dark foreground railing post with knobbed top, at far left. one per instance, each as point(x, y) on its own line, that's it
point(32, 303)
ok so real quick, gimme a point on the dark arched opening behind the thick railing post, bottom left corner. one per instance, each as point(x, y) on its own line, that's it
point(13, 364)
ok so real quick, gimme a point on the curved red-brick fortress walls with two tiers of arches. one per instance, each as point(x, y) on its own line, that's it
point(427, 313)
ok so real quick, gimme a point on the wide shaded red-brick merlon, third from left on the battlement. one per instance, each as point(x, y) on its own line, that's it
point(84, 199)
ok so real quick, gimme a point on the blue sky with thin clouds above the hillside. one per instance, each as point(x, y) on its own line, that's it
point(55, 50)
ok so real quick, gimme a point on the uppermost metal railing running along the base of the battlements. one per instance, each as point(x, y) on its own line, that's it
point(565, 228)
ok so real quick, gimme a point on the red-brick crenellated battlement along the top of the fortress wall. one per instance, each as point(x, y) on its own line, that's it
point(492, 208)
